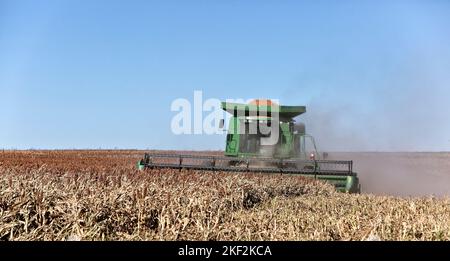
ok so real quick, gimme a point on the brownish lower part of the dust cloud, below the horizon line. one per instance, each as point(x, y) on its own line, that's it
point(401, 173)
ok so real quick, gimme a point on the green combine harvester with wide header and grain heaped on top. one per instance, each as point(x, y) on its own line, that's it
point(249, 148)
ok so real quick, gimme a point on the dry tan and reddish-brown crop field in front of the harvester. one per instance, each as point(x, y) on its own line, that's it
point(99, 195)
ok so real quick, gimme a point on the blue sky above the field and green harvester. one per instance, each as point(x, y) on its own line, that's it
point(374, 75)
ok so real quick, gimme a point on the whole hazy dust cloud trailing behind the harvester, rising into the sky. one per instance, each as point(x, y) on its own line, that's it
point(397, 134)
